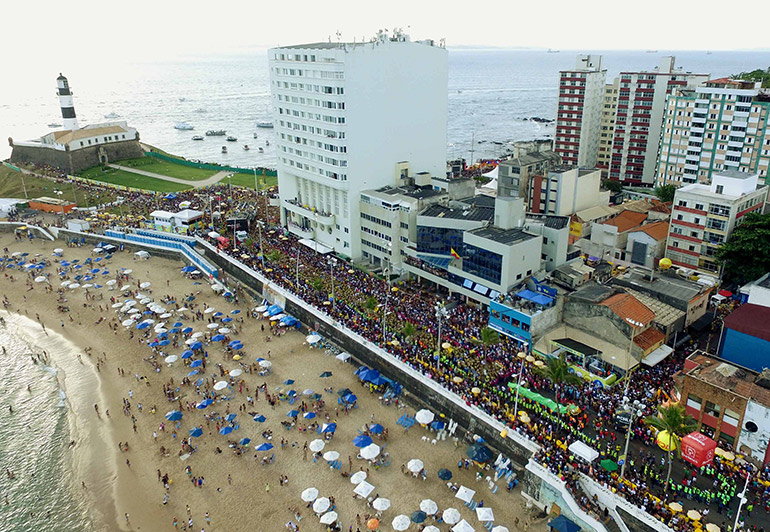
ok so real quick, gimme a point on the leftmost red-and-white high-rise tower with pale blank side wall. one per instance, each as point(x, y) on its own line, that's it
point(579, 113)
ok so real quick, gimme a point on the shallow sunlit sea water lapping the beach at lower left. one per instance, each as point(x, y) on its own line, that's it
point(34, 442)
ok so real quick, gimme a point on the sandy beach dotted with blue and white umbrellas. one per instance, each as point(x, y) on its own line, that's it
point(238, 492)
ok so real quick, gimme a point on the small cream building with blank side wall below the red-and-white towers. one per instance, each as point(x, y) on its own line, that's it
point(563, 191)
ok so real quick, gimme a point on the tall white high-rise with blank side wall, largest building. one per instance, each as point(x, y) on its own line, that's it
point(348, 116)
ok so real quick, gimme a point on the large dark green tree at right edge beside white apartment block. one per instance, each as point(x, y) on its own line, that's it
point(746, 255)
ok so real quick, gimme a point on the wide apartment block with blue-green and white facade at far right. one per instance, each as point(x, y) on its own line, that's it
point(720, 125)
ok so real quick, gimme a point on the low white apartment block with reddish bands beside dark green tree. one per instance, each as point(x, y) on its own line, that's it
point(704, 217)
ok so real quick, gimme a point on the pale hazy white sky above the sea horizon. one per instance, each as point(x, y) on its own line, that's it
point(38, 33)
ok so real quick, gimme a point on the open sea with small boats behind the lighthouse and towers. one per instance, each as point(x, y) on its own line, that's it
point(490, 93)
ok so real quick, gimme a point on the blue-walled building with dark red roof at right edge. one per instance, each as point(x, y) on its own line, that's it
point(746, 337)
